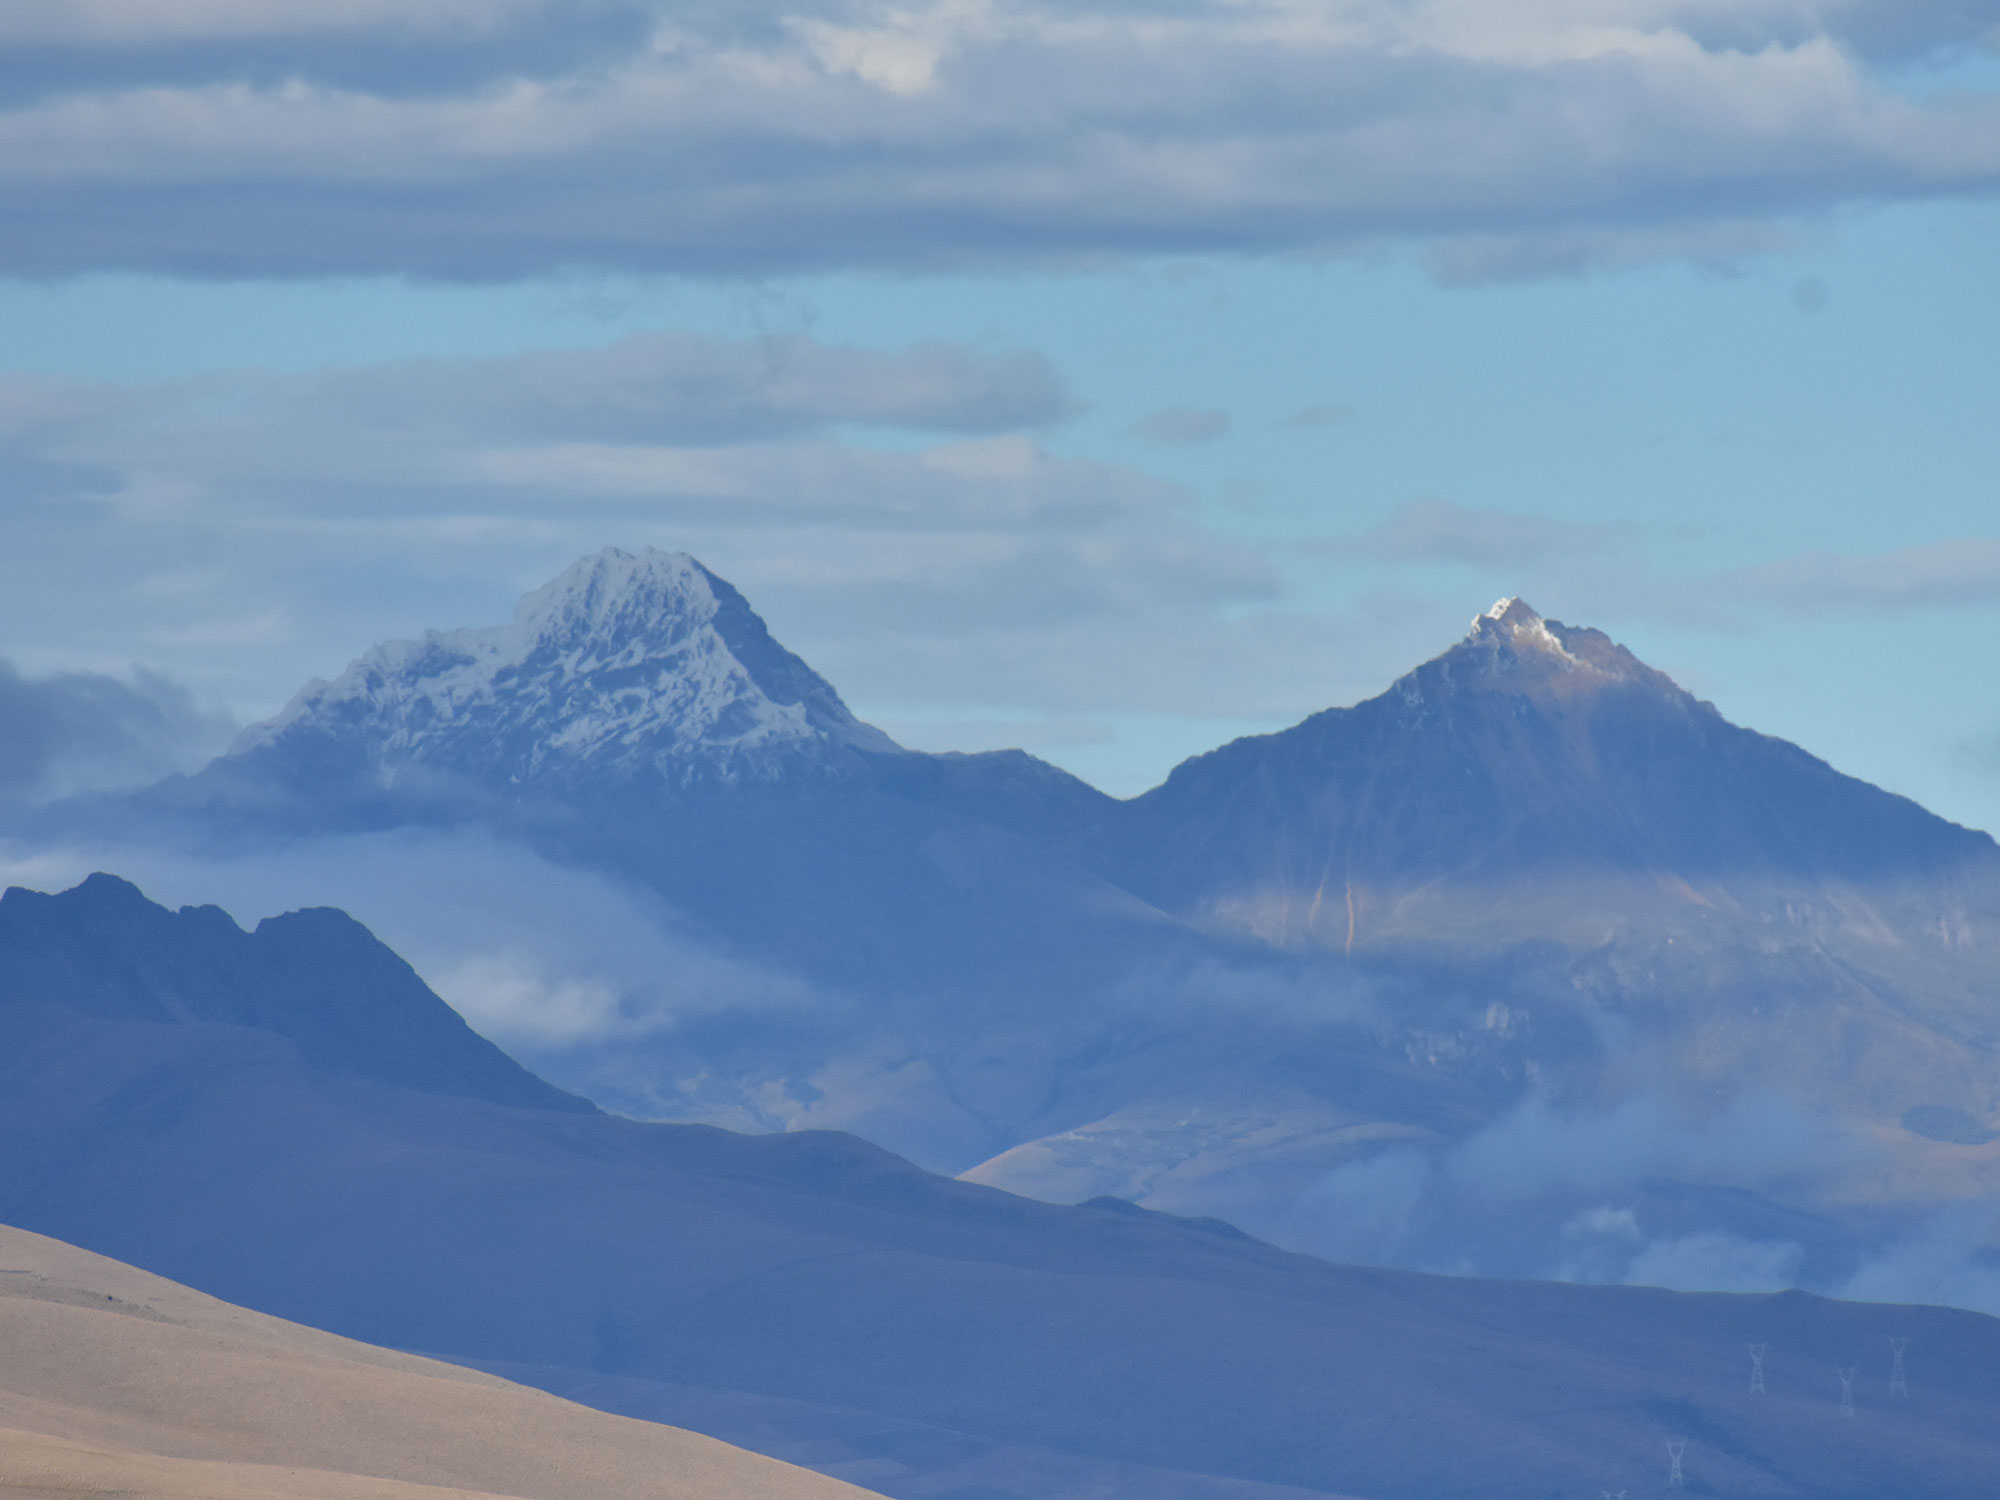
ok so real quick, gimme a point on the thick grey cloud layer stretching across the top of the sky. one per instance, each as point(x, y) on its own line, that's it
point(517, 137)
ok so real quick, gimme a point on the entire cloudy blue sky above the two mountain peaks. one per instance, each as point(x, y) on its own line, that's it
point(1107, 379)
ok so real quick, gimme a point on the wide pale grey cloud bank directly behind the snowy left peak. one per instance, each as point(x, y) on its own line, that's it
point(895, 513)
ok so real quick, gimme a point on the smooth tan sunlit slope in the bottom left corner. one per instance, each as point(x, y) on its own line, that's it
point(117, 1381)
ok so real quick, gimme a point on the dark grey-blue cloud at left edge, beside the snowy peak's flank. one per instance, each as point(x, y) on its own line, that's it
point(87, 731)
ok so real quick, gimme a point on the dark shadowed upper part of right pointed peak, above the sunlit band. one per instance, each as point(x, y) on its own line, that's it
point(1529, 751)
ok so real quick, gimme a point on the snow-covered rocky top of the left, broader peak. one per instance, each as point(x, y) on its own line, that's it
point(623, 665)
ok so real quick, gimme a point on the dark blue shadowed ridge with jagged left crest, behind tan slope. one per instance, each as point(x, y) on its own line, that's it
point(825, 1301)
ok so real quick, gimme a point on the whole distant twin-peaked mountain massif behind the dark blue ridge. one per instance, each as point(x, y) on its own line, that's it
point(1529, 965)
